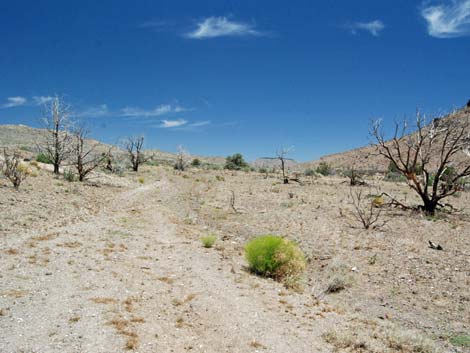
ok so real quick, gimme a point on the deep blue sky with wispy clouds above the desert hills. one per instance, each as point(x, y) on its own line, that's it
point(220, 77)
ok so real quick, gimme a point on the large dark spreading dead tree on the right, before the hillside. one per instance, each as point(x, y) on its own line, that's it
point(427, 155)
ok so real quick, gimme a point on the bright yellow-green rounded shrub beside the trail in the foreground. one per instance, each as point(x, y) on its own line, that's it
point(276, 257)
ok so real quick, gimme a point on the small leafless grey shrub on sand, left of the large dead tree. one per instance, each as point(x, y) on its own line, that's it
point(367, 210)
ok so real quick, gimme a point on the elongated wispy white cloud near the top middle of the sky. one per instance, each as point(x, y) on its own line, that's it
point(212, 27)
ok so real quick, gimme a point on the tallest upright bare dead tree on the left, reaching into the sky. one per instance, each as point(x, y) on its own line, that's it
point(57, 122)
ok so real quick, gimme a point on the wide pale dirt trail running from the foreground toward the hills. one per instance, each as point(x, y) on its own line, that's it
point(126, 279)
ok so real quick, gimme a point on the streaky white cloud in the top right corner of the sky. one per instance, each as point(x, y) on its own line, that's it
point(448, 20)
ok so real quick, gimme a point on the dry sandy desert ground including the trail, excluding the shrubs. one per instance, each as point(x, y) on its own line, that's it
point(117, 265)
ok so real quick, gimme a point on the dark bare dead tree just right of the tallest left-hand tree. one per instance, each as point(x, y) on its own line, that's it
point(84, 156)
